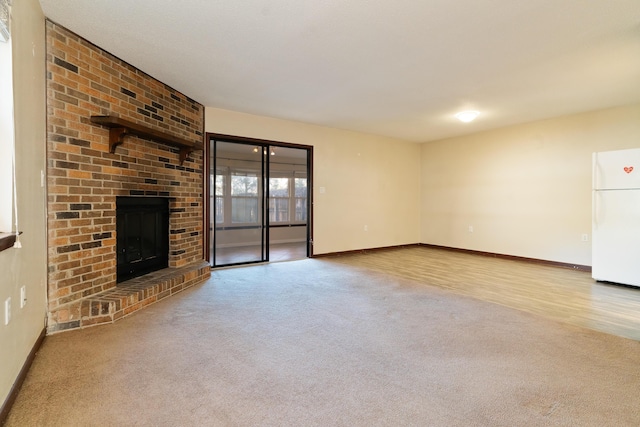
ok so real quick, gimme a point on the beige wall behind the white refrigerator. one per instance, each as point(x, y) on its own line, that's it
point(525, 190)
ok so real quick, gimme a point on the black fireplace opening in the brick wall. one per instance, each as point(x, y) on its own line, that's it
point(142, 236)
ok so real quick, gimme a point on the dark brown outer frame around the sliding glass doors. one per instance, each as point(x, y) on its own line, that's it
point(207, 226)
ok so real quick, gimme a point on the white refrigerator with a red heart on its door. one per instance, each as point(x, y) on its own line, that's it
point(616, 217)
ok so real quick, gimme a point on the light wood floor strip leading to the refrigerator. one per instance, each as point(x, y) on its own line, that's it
point(561, 294)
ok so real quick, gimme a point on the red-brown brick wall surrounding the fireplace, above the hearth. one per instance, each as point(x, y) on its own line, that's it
point(84, 179)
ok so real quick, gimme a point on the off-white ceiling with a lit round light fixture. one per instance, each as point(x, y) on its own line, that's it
point(395, 68)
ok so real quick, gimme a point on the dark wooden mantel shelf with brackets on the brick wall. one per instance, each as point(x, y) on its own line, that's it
point(119, 128)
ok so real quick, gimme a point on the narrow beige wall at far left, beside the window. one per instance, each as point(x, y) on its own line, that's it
point(26, 266)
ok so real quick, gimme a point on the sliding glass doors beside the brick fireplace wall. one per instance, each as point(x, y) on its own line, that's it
point(259, 201)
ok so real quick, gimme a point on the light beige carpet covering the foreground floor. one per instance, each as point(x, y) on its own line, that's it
point(321, 343)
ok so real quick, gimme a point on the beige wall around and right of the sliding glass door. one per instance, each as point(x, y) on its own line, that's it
point(368, 180)
